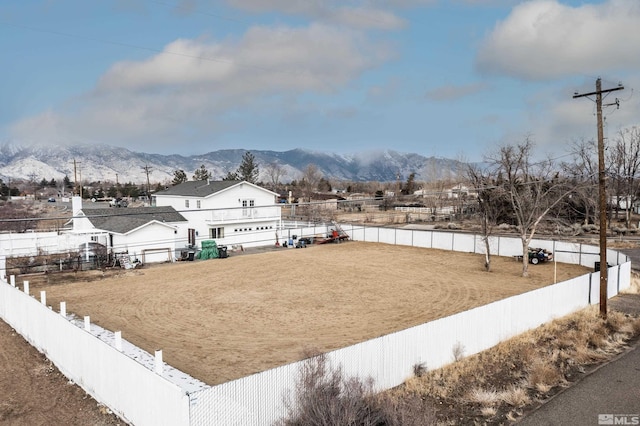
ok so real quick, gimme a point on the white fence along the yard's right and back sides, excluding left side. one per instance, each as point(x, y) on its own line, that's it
point(389, 360)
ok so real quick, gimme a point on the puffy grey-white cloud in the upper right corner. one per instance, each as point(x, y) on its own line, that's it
point(544, 39)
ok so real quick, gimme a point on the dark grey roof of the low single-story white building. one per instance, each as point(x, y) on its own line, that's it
point(121, 220)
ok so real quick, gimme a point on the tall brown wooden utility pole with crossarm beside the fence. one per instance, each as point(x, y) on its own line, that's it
point(604, 272)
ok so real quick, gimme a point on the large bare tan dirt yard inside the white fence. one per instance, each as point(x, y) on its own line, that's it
point(223, 319)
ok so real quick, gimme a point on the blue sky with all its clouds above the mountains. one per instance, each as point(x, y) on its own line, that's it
point(452, 79)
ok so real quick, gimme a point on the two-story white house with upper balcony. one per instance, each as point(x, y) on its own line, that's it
point(229, 212)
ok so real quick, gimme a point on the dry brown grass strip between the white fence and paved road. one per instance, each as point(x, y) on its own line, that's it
point(502, 382)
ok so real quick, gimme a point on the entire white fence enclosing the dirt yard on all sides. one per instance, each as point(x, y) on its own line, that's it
point(147, 392)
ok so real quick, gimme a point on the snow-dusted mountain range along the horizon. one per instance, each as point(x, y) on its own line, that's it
point(90, 163)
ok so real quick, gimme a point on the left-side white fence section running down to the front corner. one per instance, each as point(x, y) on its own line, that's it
point(136, 393)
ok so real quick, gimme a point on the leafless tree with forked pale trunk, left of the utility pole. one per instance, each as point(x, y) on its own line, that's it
point(532, 188)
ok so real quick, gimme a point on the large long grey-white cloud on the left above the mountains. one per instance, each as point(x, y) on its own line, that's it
point(189, 92)
